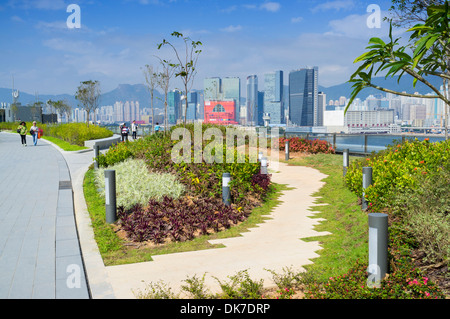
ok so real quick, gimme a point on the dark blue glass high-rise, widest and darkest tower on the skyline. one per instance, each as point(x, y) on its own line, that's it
point(303, 97)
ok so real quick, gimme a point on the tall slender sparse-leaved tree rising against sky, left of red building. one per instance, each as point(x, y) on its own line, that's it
point(186, 66)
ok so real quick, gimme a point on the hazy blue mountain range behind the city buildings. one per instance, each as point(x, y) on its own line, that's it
point(139, 92)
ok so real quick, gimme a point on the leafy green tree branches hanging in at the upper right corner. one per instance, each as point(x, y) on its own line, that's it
point(430, 57)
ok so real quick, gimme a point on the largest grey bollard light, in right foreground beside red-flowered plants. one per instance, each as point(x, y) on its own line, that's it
point(378, 248)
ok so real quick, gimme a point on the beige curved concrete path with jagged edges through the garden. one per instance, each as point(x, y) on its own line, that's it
point(274, 244)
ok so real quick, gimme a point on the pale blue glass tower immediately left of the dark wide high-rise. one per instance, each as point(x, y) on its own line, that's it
point(273, 97)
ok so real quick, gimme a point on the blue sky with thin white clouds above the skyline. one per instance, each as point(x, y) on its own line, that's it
point(117, 38)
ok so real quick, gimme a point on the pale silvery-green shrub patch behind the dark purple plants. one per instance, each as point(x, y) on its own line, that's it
point(136, 185)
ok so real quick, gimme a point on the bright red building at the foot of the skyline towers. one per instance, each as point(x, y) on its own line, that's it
point(220, 112)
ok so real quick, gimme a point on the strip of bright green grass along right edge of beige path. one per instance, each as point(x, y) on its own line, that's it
point(344, 219)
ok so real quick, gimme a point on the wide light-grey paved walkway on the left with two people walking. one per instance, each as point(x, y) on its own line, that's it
point(40, 255)
